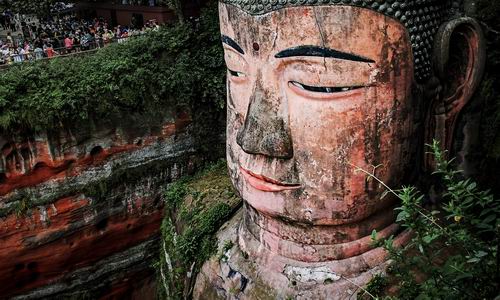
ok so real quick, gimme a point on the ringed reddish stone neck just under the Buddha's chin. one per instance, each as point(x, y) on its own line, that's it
point(310, 243)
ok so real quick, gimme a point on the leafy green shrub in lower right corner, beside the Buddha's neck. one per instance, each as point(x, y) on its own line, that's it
point(453, 253)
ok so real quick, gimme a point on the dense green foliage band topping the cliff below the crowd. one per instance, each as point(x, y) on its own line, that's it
point(180, 66)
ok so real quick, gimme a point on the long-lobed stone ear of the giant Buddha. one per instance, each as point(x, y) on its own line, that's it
point(459, 60)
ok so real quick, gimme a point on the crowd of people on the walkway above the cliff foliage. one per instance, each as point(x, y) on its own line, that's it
point(59, 36)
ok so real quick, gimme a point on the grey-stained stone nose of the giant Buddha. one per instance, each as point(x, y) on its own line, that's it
point(265, 130)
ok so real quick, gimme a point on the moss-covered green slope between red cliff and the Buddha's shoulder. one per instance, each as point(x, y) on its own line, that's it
point(195, 209)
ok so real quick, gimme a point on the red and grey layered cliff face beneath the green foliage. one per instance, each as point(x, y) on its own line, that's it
point(81, 207)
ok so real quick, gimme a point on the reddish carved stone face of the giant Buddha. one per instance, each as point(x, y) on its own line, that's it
point(313, 93)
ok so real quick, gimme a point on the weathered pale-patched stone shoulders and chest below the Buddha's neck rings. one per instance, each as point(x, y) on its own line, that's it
point(250, 271)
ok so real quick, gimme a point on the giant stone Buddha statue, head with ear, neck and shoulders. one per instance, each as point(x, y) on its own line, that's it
point(316, 89)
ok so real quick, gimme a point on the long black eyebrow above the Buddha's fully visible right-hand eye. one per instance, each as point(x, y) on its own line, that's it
point(321, 52)
